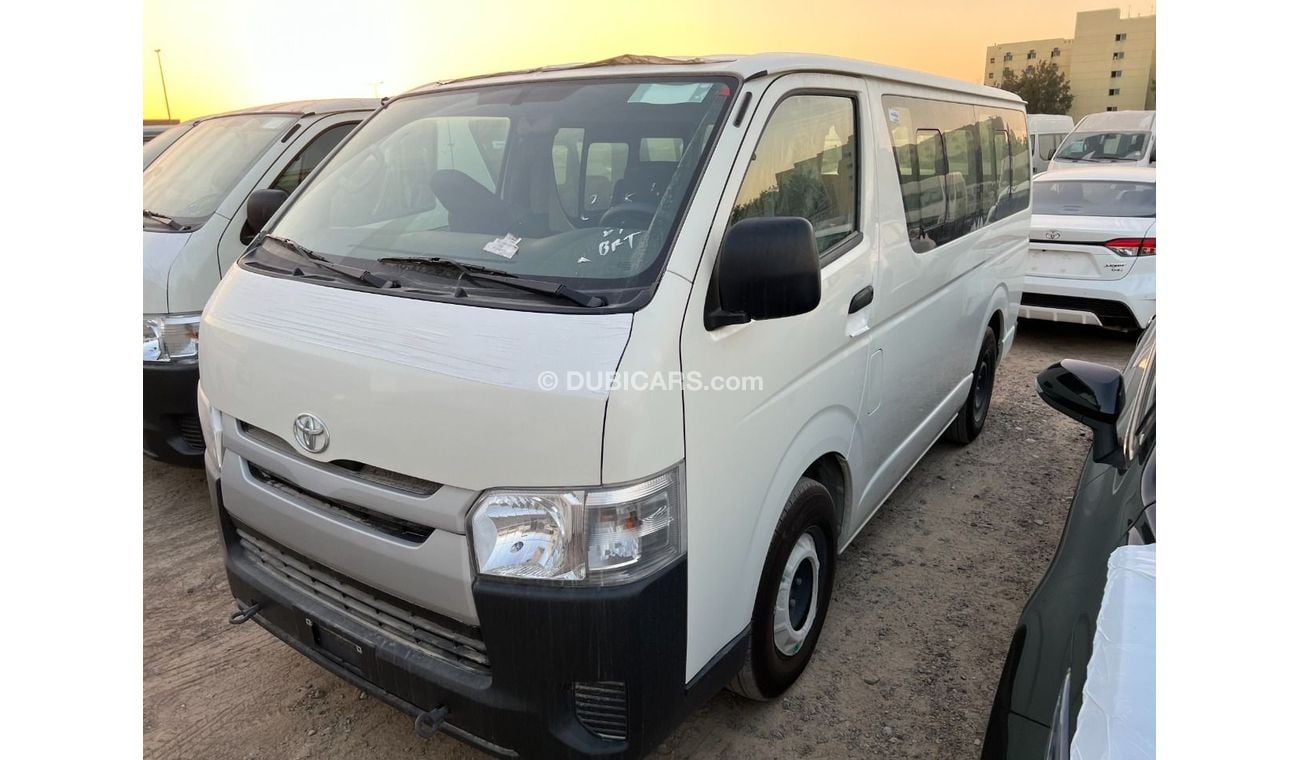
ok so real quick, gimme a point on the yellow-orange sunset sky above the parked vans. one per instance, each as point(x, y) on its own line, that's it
point(220, 55)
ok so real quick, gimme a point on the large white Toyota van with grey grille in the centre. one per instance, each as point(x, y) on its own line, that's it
point(544, 409)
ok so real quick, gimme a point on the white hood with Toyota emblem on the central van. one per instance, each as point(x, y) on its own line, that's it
point(452, 394)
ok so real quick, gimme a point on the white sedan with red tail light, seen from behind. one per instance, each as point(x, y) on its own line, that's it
point(1093, 247)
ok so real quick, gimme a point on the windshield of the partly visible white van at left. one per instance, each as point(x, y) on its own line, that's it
point(192, 179)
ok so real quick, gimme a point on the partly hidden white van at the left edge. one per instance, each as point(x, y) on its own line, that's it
point(197, 180)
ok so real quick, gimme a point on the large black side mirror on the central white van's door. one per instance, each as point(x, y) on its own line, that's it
point(768, 268)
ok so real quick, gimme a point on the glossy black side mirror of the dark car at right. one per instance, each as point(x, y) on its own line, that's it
point(1093, 394)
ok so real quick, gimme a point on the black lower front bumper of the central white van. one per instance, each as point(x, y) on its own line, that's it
point(541, 642)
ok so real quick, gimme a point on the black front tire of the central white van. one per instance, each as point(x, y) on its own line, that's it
point(768, 671)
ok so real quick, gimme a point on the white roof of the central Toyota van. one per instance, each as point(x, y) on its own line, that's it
point(746, 67)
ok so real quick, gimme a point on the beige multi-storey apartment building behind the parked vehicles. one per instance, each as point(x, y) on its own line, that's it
point(1111, 62)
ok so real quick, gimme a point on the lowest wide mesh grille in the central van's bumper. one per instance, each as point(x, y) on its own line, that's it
point(448, 641)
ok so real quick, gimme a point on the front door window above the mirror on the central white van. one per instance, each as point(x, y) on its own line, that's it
point(805, 166)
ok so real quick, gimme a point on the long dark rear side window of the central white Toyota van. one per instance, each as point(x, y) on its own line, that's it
point(960, 167)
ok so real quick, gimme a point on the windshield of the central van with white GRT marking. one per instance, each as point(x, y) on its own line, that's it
point(579, 181)
